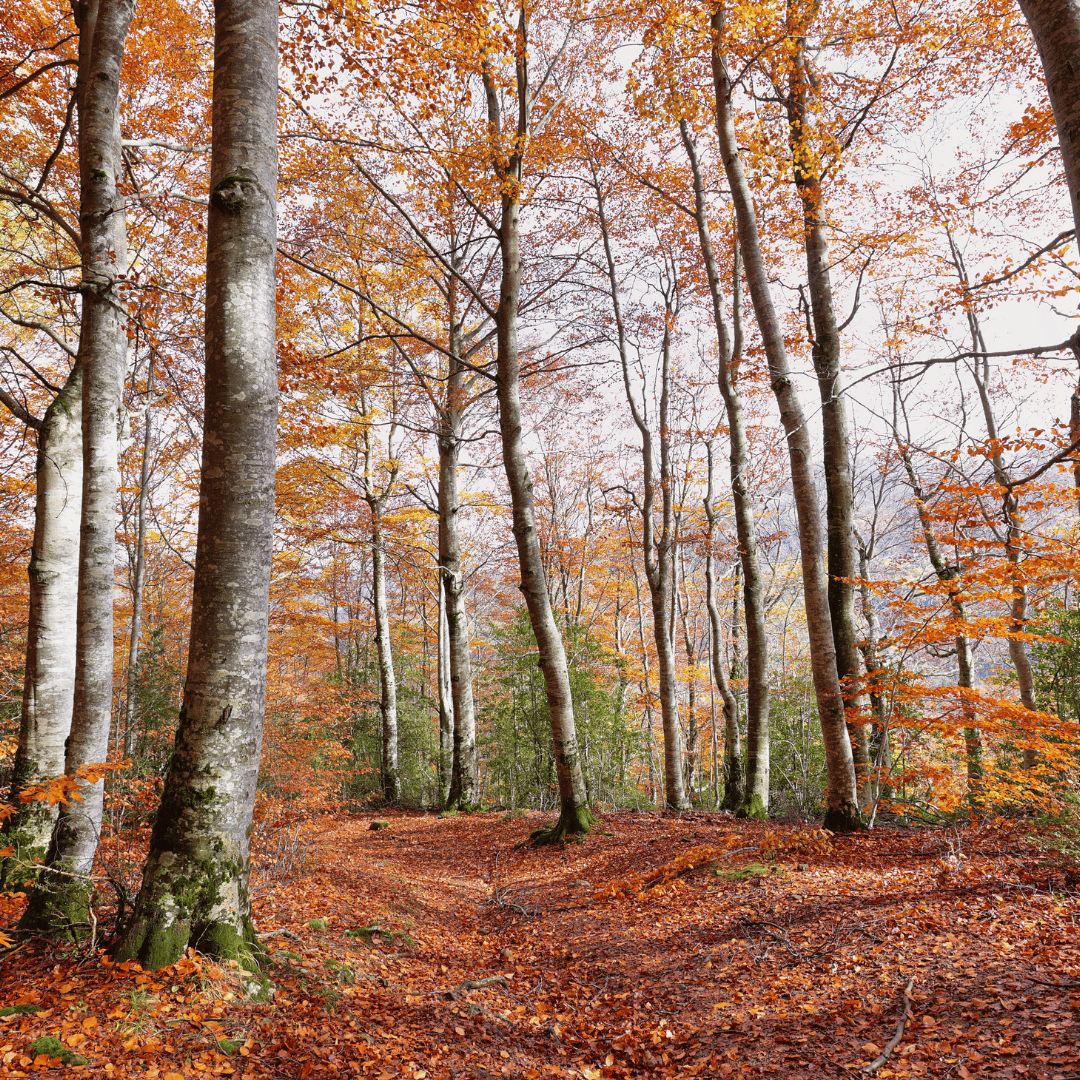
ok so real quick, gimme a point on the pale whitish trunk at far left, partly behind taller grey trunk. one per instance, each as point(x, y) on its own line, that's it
point(49, 680)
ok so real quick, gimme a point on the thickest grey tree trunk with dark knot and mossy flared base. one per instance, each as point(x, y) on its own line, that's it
point(195, 883)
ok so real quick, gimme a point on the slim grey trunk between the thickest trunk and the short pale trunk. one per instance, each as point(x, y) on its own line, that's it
point(60, 902)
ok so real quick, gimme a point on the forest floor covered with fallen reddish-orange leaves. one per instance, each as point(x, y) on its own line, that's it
point(751, 950)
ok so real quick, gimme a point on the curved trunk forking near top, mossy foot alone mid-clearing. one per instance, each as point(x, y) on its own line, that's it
point(575, 816)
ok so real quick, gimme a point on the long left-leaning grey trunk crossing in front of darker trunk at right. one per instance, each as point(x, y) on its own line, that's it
point(843, 801)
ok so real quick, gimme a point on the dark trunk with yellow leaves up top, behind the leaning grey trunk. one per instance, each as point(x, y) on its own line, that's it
point(836, 455)
